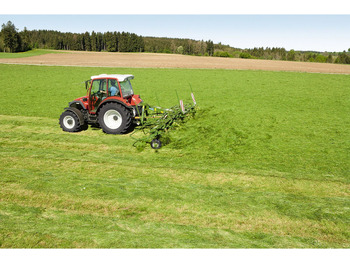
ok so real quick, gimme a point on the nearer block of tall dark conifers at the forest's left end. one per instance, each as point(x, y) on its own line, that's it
point(13, 41)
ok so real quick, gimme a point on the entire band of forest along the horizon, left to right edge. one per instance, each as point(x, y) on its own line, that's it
point(11, 40)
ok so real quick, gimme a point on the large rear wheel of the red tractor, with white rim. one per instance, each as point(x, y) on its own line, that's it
point(114, 118)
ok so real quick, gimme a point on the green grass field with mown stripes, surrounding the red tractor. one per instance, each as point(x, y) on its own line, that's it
point(264, 164)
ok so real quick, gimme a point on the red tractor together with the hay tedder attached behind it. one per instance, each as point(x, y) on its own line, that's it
point(111, 104)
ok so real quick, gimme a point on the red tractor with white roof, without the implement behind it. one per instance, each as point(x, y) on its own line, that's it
point(110, 103)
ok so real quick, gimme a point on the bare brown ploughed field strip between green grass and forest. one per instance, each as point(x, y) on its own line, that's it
point(145, 60)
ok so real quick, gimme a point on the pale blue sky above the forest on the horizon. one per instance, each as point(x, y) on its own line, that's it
point(306, 32)
